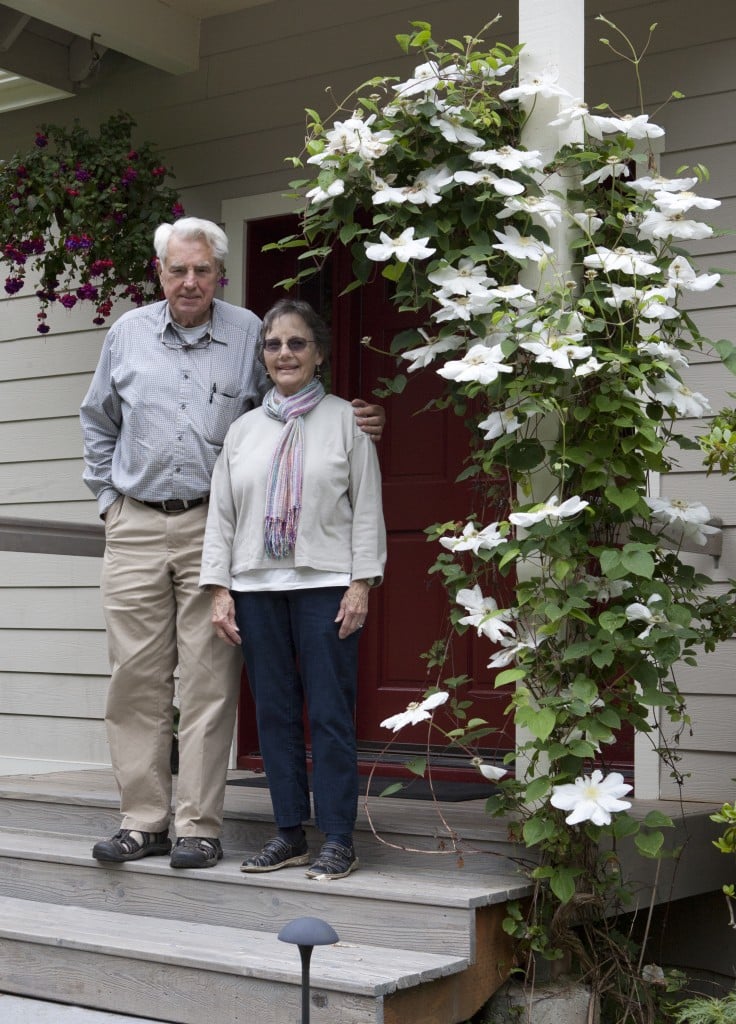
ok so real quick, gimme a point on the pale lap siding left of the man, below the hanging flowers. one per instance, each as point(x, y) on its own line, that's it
point(54, 664)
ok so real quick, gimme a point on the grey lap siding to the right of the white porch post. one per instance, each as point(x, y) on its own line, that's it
point(701, 129)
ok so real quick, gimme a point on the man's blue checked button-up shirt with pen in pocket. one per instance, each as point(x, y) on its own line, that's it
point(157, 411)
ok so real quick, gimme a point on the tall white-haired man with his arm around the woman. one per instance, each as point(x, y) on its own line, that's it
point(171, 379)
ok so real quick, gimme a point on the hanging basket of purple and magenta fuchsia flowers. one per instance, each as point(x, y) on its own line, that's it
point(77, 217)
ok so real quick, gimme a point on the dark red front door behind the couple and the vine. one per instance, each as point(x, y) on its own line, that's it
point(421, 454)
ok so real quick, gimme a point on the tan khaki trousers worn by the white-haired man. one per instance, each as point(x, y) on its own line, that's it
point(158, 618)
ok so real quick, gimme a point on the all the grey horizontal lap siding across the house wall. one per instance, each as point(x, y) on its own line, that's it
point(227, 130)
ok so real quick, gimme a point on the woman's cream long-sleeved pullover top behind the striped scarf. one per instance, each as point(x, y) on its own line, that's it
point(341, 527)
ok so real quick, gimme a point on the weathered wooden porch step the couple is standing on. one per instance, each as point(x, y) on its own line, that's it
point(431, 909)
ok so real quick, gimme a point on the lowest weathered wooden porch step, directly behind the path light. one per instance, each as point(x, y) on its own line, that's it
point(187, 973)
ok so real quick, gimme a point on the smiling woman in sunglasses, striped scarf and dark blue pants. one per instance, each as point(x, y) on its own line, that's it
point(295, 541)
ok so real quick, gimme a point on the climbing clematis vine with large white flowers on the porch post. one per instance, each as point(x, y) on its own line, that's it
point(564, 572)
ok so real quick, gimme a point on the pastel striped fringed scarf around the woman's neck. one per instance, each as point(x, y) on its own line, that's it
point(284, 488)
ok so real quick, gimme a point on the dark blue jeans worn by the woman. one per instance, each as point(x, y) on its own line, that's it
point(294, 658)
